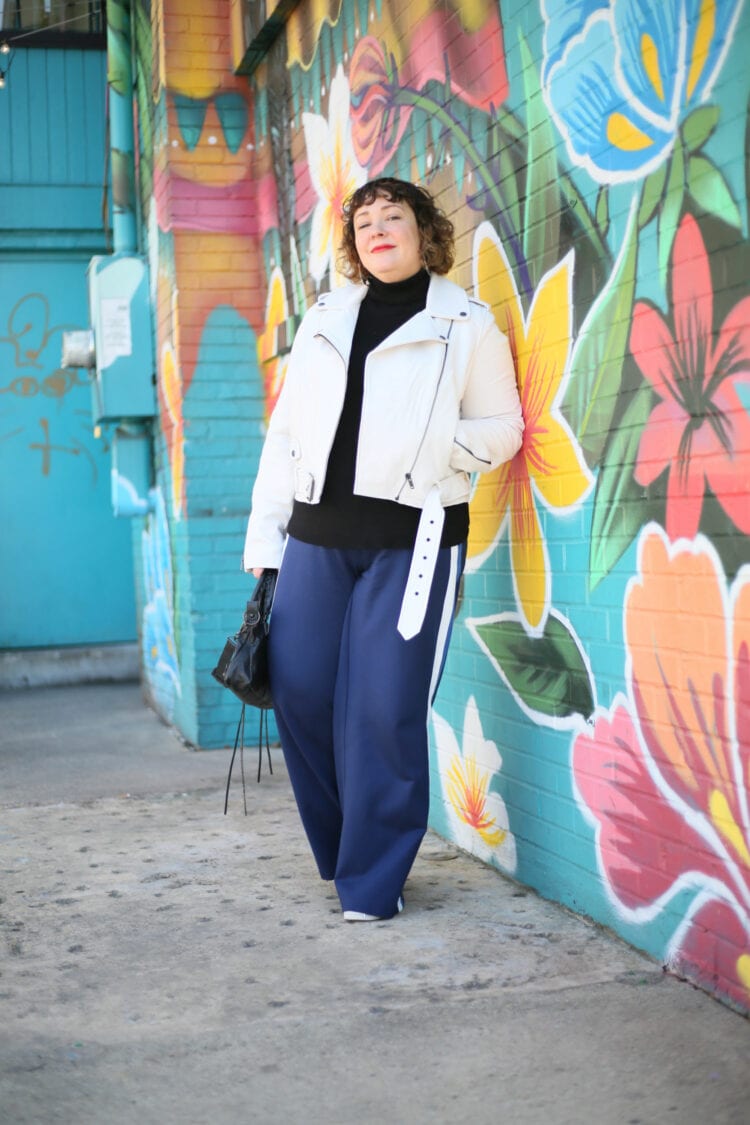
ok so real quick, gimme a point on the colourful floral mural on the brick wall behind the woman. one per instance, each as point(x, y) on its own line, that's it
point(593, 733)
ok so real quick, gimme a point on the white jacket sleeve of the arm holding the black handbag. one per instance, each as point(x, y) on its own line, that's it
point(274, 492)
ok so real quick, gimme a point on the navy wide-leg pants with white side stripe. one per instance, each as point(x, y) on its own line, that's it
point(353, 700)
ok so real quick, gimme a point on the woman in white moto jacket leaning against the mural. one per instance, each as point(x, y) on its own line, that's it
point(399, 388)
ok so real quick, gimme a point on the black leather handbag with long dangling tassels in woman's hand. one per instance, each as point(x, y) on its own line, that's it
point(243, 668)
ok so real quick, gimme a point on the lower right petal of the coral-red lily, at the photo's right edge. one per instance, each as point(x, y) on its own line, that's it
point(728, 471)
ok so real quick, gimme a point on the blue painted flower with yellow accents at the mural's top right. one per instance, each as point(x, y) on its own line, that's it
point(621, 77)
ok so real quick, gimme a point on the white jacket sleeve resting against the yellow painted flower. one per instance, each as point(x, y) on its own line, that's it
point(491, 429)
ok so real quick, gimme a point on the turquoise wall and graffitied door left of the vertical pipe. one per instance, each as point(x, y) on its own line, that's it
point(66, 562)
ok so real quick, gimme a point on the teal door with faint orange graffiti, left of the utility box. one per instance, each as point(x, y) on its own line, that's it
point(66, 562)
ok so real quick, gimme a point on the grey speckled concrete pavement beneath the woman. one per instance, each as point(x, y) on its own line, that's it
point(164, 964)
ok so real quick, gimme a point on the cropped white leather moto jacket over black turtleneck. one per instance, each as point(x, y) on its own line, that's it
point(440, 402)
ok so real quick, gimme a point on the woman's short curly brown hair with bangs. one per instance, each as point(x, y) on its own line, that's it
point(436, 229)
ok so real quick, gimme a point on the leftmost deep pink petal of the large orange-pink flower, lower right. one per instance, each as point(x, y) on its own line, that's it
point(644, 843)
